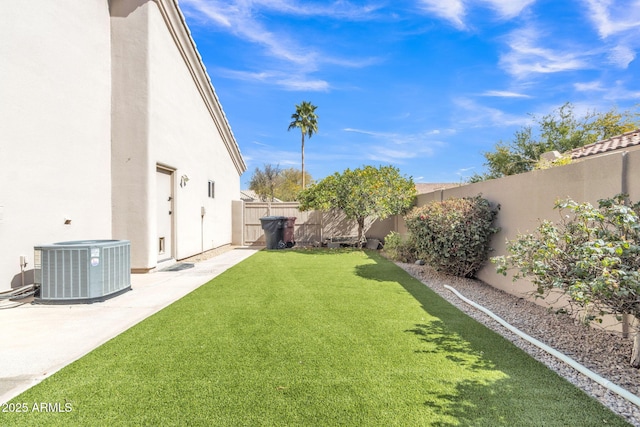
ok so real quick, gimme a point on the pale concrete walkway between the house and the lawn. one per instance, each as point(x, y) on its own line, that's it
point(37, 340)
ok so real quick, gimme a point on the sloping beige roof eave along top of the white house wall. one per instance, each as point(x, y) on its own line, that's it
point(180, 32)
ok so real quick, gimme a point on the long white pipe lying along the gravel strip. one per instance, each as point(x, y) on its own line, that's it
point(575, 365)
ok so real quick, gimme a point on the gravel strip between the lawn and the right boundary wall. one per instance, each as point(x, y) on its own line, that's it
point(604, 353)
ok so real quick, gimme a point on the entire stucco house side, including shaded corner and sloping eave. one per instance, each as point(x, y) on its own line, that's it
point(109, 121)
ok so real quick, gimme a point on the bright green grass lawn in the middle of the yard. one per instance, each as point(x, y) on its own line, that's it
point(311, 338)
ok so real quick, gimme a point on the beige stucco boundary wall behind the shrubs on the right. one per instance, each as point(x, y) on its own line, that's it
point(527, 198)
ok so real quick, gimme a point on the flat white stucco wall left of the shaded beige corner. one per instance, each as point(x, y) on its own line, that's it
point(55, 136)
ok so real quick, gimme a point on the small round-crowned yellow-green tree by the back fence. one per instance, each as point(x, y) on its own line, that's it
point(362, 193)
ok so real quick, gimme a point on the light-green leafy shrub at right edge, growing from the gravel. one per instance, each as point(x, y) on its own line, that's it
point(592, 255)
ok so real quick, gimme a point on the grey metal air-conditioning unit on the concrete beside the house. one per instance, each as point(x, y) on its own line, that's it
point(82, 271)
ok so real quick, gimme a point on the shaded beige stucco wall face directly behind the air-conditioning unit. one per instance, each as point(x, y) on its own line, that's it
point(132, 179)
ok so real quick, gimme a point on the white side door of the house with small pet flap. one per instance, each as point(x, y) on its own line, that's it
point(164, 183)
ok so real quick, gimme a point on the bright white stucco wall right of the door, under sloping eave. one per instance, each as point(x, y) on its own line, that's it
point(184, 136)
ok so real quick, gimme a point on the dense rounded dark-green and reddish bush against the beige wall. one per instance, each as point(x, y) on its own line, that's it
point(453, 236)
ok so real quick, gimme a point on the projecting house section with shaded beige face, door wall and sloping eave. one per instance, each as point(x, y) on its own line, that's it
point(172, 116)
